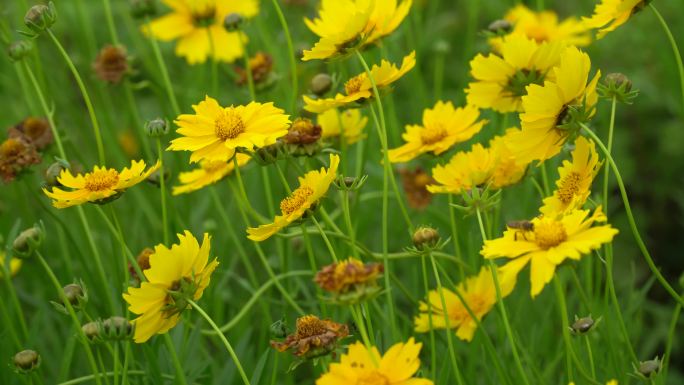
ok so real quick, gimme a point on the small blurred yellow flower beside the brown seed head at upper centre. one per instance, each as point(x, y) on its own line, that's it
point(348, 124)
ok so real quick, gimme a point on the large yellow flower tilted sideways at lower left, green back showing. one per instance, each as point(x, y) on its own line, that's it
point(175, 275)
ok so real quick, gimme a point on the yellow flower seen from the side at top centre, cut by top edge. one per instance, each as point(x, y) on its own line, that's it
point(347, 25)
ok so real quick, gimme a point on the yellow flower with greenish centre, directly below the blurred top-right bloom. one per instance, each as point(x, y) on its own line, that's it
point(501, 80)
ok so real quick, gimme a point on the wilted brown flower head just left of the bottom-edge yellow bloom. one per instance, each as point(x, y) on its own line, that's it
point(313, 338)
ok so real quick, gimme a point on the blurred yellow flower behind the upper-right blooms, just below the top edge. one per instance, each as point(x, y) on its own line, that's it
point(544, 26)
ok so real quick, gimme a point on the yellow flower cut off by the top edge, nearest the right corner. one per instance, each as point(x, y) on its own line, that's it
point(610, 14)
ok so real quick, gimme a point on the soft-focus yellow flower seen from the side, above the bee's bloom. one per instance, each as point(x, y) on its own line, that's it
point(478, 167)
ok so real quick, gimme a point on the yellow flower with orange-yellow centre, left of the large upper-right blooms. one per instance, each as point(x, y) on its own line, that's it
point(443, 127)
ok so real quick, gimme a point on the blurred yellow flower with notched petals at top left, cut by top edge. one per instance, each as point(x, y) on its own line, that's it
point(198, 26)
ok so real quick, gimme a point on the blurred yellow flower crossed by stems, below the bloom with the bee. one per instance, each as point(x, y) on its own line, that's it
point(478, 292)
